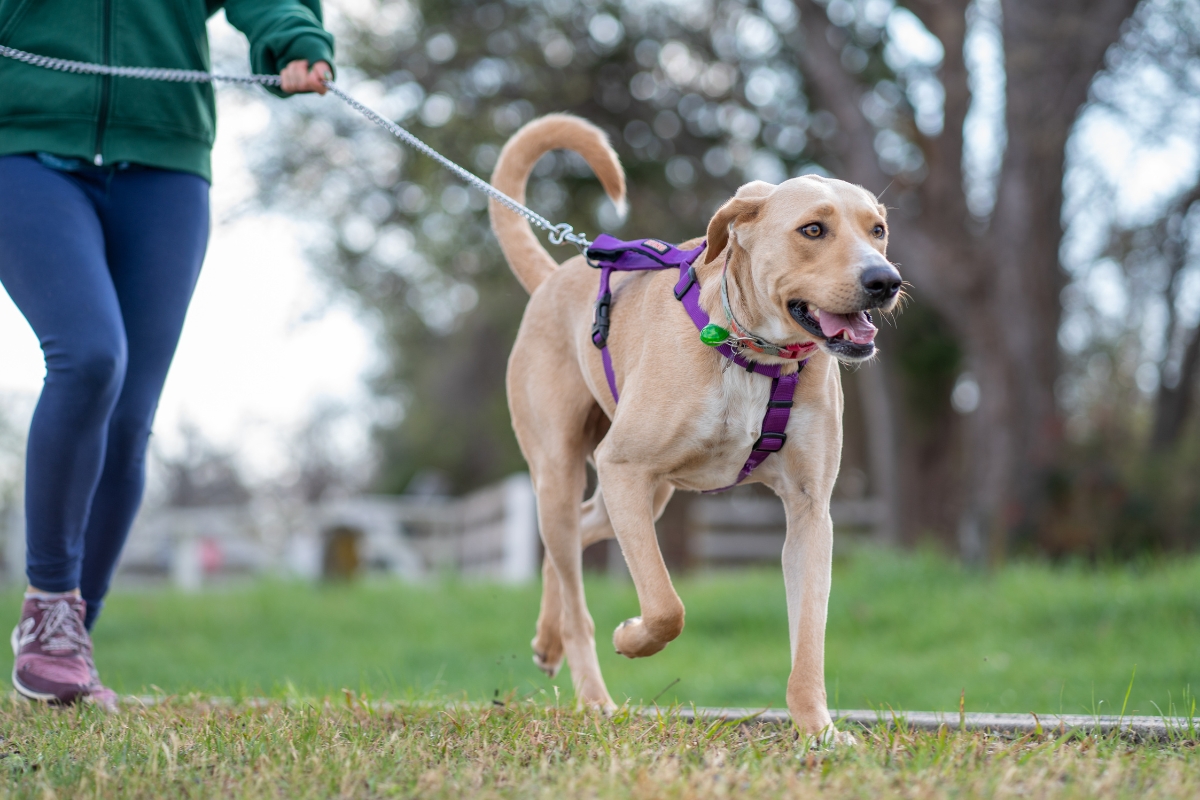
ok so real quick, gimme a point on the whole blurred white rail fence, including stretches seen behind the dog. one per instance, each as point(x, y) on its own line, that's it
point(490, 534)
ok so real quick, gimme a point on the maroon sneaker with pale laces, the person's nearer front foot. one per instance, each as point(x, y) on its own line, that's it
point(52, 651)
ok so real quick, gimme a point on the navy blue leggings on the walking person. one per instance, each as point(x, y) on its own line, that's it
point(103, 263)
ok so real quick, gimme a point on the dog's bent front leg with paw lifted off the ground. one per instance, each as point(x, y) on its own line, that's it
point(633, 502)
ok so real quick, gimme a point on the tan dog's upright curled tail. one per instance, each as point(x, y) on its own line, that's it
point(524, 250)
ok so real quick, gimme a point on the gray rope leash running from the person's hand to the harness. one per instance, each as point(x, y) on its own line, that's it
point(560, 234)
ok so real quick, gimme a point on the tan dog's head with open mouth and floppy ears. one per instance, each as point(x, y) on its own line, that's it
point(809, 261)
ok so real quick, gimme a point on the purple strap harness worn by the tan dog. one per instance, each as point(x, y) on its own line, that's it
point(611, 255)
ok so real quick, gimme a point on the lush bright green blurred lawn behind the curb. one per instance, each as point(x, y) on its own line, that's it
point(905, 633)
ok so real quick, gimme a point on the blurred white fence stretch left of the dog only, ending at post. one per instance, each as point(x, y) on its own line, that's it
point(489, 534)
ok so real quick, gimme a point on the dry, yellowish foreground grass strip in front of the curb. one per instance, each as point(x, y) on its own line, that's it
point(190, 749)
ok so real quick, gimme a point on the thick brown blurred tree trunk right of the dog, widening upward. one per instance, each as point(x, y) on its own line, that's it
point(1052, 53)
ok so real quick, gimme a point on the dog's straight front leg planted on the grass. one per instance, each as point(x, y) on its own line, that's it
point(808, 558)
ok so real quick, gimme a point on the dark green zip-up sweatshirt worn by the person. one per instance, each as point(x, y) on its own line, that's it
point(112, 121)
